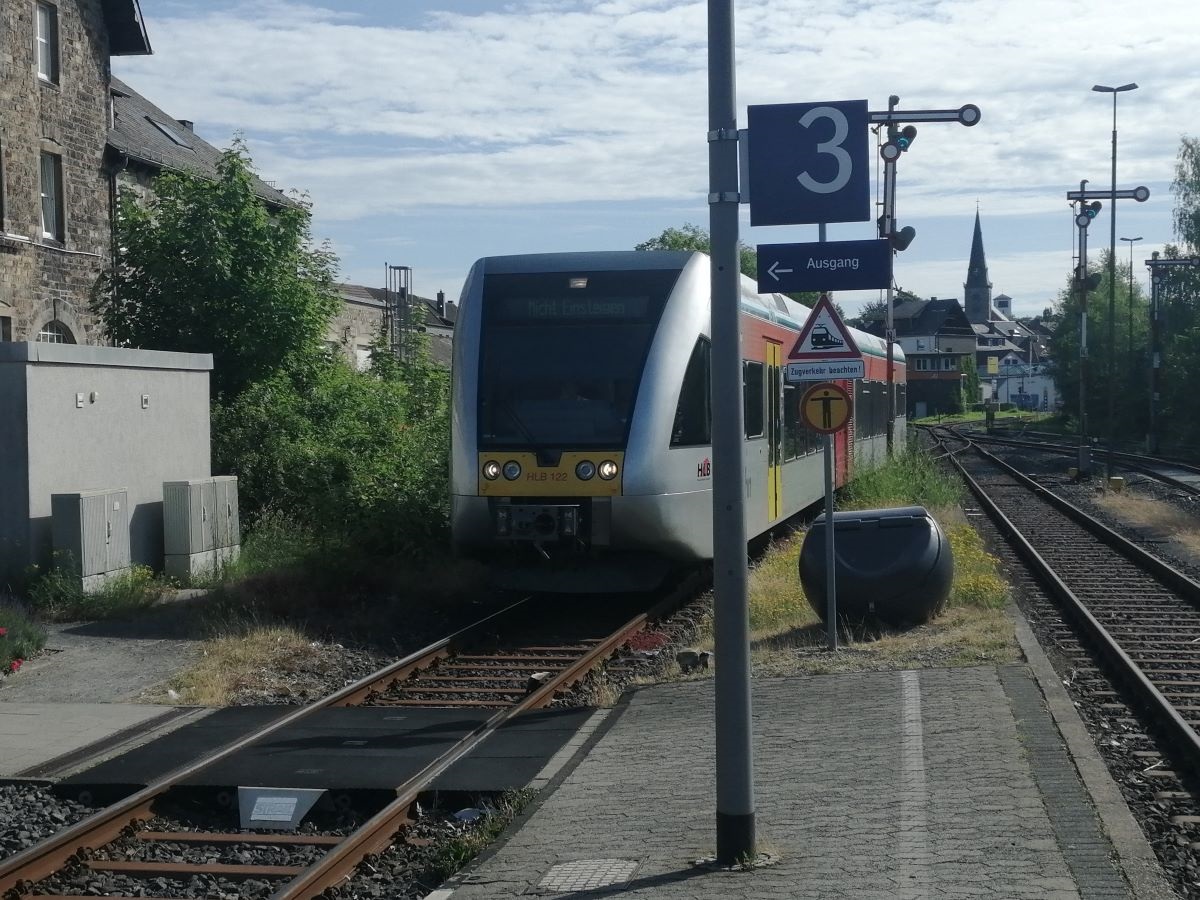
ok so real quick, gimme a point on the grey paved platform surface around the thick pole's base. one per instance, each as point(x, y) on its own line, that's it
point(898, 785)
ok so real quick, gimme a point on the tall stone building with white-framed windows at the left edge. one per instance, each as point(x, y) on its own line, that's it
point(56, 233)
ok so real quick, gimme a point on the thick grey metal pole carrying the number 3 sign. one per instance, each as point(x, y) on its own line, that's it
point(735, 764)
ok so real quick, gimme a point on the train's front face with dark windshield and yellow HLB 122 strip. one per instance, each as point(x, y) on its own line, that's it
point(550, 352)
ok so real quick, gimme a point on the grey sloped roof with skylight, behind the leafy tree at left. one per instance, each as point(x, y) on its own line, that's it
point(146, 134)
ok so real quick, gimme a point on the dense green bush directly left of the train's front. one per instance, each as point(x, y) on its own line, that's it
point(358, 458)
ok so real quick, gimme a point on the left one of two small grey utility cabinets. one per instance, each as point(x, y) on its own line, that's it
point(92, 535)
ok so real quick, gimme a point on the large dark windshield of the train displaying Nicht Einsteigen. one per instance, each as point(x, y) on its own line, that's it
point(562, 356)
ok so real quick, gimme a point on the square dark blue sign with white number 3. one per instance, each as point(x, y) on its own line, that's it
point(808, 163)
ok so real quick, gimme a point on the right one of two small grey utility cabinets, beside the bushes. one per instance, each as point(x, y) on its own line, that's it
point(201, 525)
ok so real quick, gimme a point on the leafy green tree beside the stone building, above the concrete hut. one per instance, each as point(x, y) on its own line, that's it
point(205, 267)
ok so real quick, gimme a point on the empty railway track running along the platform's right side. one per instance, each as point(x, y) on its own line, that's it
point(1142, 615)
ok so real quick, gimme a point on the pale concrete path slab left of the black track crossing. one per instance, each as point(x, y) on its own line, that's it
point(35, 734)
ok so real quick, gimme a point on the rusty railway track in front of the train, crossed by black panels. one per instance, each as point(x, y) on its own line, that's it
point(484, 667)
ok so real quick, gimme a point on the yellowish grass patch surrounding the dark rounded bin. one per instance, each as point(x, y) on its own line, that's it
point(789, 638)
